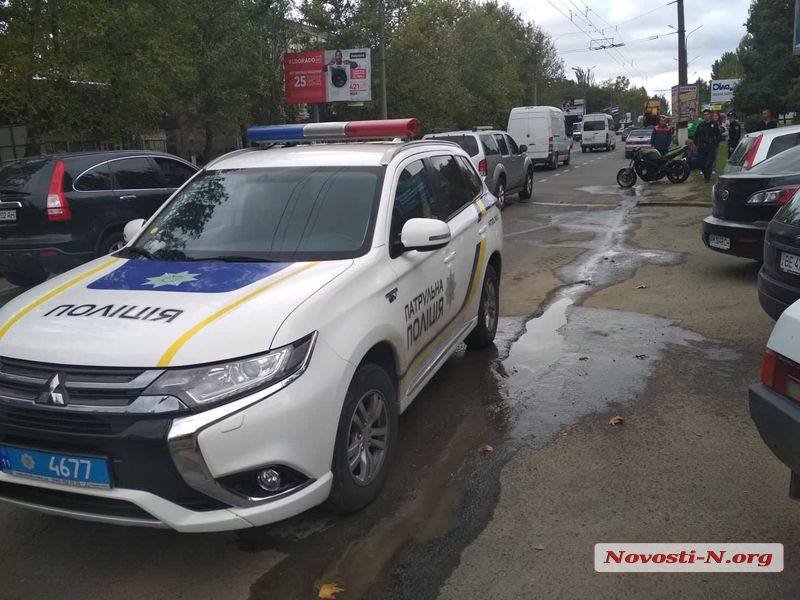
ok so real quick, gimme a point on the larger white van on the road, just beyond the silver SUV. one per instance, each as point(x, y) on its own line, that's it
point(541, 129)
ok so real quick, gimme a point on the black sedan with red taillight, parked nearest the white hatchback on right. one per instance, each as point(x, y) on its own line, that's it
point(744, 203)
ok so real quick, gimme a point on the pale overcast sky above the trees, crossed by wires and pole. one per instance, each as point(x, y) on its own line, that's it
point(648, 63)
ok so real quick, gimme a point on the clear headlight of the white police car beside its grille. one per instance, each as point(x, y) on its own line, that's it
point(205, 385)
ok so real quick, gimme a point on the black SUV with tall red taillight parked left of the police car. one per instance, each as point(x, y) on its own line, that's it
point(57, 212)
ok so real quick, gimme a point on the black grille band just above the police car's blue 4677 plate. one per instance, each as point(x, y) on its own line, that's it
point(63, 421)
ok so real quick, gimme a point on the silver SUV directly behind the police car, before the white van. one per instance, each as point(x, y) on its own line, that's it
point(503, 164)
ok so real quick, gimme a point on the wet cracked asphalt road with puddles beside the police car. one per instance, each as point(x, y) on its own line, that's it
point(509, 471)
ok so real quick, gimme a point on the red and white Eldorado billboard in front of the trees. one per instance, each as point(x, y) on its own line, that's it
point(319, 76)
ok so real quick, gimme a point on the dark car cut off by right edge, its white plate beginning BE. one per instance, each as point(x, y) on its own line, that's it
point(779, 277)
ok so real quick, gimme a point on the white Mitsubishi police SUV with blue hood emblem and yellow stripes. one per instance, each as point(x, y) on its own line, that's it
point(245, 357)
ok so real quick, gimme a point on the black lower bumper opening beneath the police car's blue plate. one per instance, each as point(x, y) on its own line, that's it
point(94, 505)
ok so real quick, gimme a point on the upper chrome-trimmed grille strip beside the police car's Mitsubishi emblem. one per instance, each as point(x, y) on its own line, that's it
point(24, 381)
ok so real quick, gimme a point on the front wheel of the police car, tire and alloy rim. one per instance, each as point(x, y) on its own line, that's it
point(349, 491)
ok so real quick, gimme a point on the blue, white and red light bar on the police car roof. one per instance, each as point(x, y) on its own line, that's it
point(344, 130)
